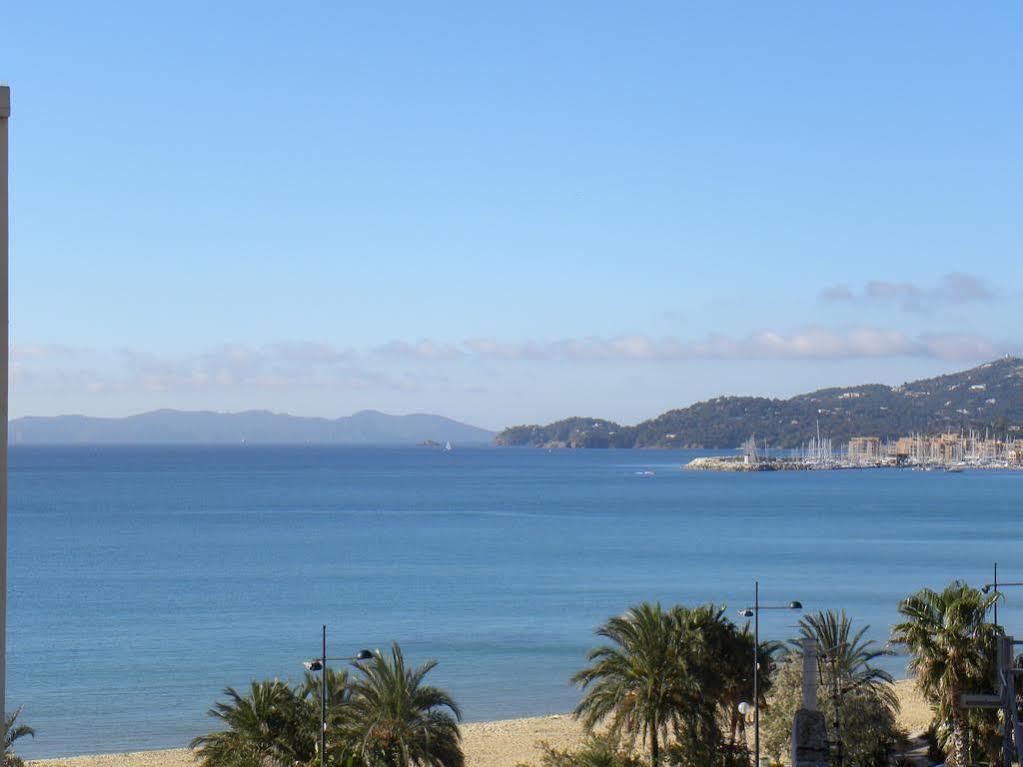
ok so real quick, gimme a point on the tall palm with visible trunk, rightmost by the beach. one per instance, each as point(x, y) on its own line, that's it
point(954, 650)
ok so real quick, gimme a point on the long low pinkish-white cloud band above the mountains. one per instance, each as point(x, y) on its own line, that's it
point(405, 366)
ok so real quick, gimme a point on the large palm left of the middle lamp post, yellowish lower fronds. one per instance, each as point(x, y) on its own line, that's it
point(636, 682)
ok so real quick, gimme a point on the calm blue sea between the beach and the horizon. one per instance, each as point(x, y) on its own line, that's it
point(145, 580)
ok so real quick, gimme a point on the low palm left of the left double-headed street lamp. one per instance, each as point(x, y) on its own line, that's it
point(272, 727)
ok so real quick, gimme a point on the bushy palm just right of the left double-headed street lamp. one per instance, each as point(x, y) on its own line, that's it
point(396, 720)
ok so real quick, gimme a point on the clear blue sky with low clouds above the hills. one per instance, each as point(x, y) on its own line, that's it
point(507, 213)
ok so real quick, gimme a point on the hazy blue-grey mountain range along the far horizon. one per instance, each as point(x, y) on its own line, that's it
point(252, 427)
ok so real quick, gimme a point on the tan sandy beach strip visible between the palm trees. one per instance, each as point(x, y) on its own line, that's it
point(502, 744)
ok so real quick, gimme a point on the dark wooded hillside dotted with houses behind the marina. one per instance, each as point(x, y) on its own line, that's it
point(989, 397)
